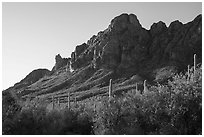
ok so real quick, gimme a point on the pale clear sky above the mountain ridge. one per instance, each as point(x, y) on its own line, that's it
point(33, 33)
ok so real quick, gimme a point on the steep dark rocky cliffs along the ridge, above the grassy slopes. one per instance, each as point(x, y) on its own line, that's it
point(126, 46)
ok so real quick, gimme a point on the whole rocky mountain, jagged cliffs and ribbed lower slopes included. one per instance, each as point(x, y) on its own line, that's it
point(125, 52)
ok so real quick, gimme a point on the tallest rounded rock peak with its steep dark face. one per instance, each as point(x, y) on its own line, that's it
point(125, 34)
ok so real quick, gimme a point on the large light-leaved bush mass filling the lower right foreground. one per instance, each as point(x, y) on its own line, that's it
point(174, 108)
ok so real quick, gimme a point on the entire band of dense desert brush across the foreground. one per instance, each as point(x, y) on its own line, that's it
point(171, 107)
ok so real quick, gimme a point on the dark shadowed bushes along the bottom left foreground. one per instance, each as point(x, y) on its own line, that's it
point(35, 120)
